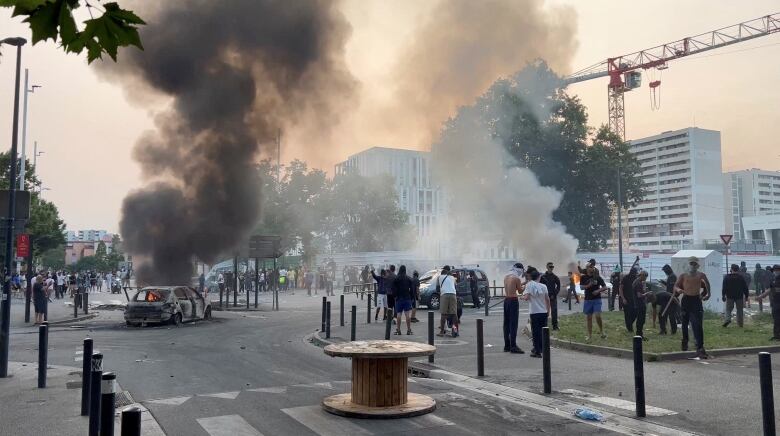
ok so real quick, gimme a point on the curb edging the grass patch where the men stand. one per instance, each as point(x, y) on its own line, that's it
point(657, 357)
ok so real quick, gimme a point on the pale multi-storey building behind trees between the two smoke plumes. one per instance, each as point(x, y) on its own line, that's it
point(410, 169)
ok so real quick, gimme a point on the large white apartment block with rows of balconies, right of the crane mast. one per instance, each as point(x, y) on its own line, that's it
point(683, 205)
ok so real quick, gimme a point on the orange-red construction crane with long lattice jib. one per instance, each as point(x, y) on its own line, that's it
point(624, 71)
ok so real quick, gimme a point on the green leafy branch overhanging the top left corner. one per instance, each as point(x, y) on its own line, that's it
point(53, 19)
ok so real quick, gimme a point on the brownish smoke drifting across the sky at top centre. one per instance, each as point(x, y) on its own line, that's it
point(459, 49)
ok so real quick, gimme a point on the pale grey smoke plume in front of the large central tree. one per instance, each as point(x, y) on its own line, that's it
point(489, 194)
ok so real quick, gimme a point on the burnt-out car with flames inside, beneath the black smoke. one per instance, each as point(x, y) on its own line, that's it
point(161, 304)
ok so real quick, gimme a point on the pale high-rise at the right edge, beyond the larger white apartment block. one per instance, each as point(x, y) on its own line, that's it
point(750, 193)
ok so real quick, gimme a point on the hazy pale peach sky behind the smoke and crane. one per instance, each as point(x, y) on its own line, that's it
point(86, 126)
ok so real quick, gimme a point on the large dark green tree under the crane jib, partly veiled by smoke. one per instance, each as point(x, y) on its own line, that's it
point(546, 130)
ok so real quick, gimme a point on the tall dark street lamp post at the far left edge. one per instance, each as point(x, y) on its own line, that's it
point(5, 325)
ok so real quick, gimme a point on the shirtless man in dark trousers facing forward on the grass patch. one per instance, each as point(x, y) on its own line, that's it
point(690, 285)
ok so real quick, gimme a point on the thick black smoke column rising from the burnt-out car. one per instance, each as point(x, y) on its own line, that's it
point(235, 72)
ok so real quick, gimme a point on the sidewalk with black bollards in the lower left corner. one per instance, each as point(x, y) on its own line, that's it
point(56, 409)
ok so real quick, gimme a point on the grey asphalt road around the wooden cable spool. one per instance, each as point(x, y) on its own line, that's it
point(255, 373)
